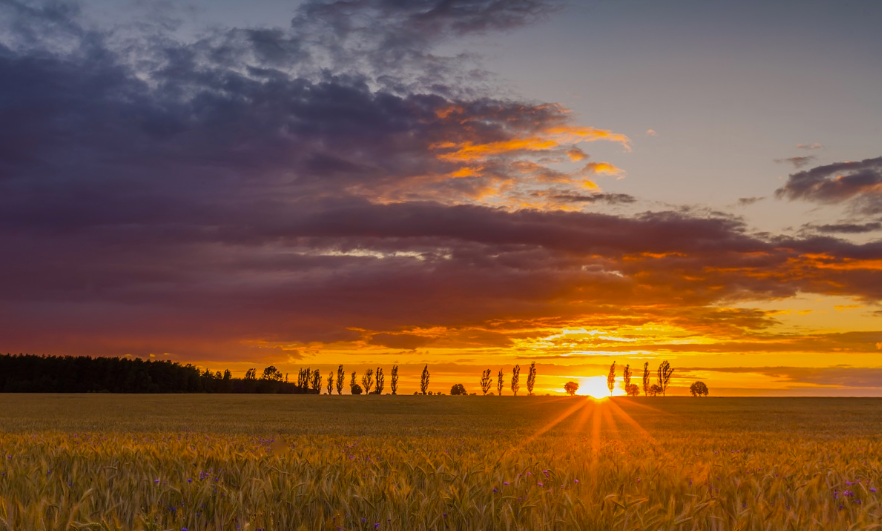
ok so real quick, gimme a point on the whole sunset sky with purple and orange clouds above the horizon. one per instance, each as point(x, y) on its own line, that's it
point(463, 184)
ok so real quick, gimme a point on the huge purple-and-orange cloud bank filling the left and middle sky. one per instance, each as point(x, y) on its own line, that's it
point(226, 196)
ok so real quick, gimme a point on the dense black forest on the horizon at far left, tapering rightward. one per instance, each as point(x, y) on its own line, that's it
point(26, 373)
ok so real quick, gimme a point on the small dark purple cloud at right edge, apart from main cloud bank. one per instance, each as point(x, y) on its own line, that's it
point(835, 183)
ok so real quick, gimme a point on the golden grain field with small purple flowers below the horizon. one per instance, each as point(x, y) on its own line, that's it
point(178, 462)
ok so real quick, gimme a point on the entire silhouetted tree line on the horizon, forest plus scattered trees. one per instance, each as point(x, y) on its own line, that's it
point(27, 373)
